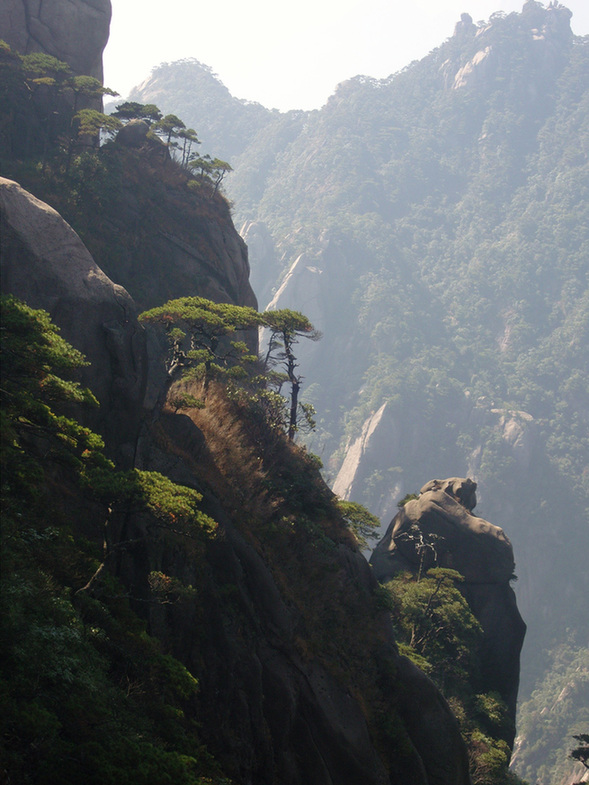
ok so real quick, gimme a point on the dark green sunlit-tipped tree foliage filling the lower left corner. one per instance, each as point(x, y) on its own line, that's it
point(87, 695)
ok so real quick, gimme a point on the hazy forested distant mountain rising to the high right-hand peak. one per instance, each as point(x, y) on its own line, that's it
point(433, 225)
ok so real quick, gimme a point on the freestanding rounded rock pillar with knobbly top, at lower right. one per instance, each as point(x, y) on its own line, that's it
point(478, 550)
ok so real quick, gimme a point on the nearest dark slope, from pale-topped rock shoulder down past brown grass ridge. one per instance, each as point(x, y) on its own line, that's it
point(231, 593)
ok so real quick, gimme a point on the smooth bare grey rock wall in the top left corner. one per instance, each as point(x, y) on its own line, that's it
point(75, 31)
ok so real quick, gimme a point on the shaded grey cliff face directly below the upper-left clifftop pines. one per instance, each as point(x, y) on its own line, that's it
point(160, 239)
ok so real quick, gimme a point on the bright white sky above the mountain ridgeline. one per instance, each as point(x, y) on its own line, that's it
point(289, 54)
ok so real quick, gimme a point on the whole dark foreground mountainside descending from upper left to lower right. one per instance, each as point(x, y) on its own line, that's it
point(184, 599)
